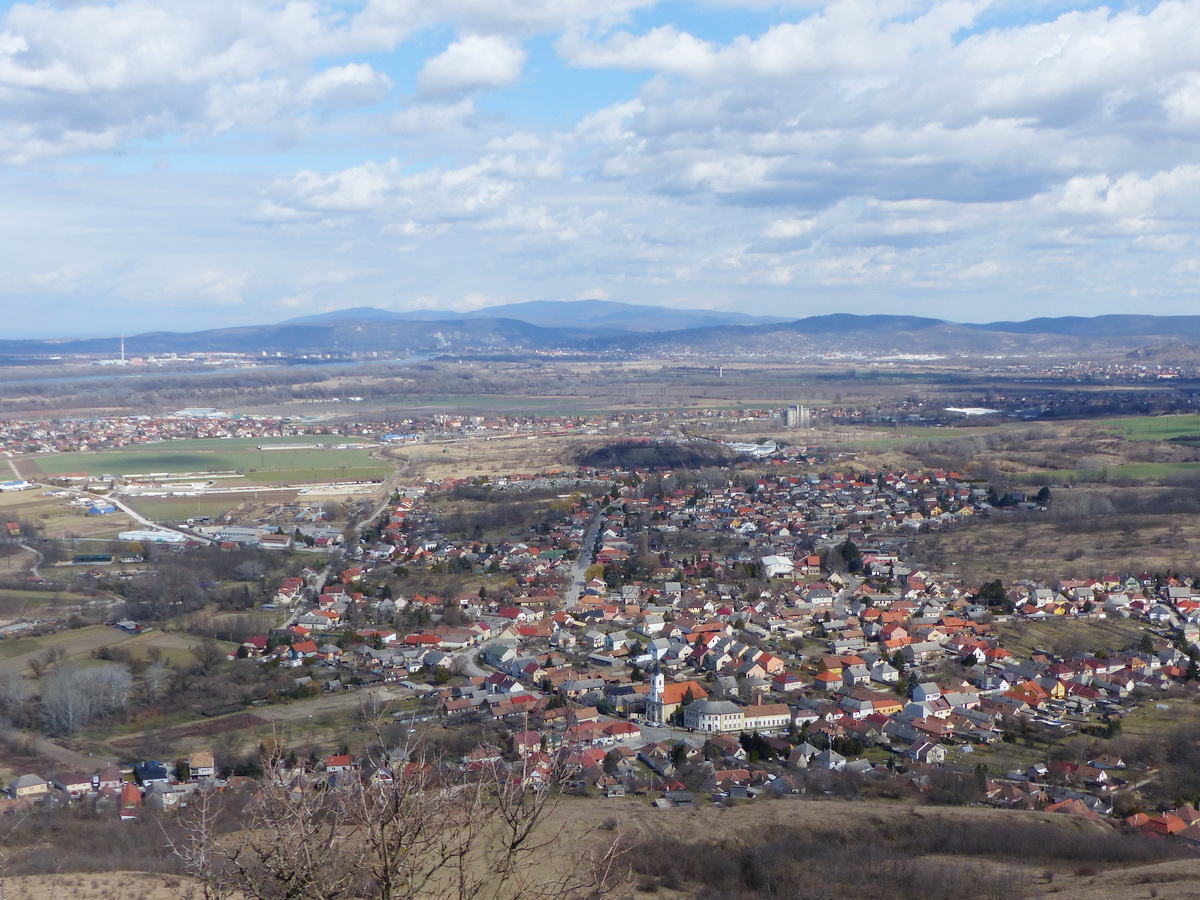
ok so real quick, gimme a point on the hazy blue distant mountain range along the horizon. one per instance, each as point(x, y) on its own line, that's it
point(598, 326)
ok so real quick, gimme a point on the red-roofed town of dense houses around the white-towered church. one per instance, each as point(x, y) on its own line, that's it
point(722, 640)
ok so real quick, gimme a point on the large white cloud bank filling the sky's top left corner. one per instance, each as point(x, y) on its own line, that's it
point(98, 76)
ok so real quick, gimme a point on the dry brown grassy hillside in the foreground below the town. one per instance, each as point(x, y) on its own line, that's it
point(1071, 865)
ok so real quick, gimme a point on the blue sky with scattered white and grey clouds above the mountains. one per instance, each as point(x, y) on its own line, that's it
point(175, 165)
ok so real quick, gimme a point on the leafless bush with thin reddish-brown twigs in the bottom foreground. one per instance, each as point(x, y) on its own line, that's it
point(403, 829)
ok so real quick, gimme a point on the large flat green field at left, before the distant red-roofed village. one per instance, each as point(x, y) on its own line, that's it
point(242, 455)
